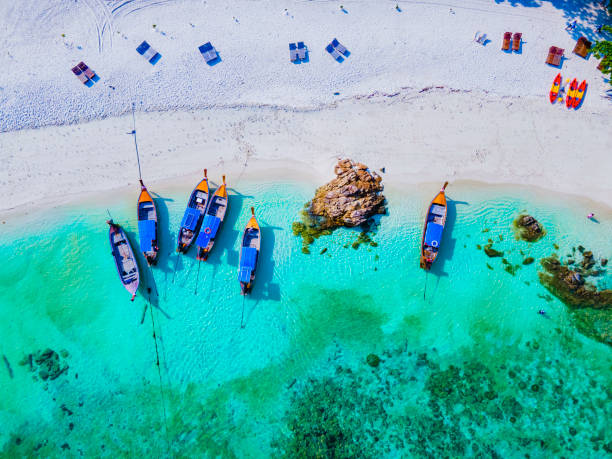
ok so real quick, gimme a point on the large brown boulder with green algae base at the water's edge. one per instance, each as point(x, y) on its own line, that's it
point(349, 200)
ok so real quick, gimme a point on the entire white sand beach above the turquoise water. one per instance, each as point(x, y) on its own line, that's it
point(416, 95)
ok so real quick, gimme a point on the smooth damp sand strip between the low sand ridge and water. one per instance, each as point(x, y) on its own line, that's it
point(418, 137)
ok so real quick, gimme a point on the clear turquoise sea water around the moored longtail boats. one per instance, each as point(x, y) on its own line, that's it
point(471, 370)
